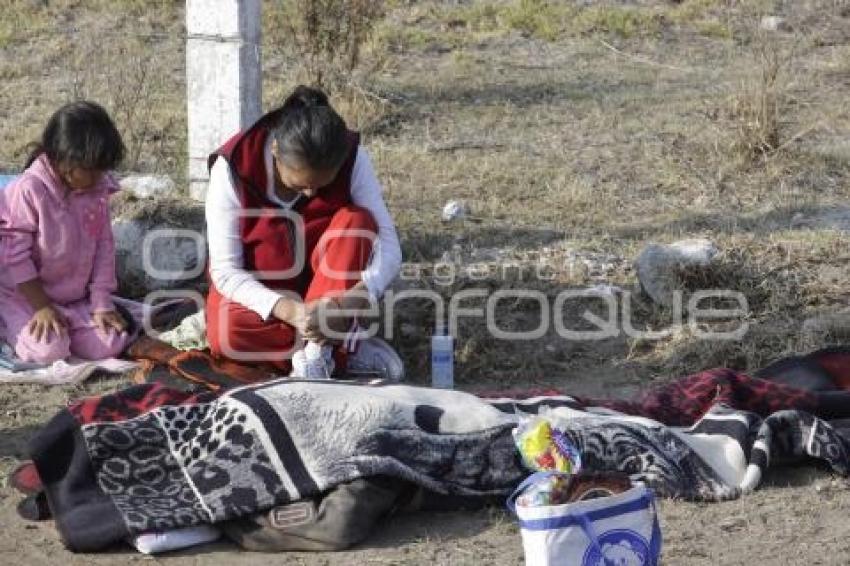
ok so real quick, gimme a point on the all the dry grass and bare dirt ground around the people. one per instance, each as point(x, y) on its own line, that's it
point(577, 133)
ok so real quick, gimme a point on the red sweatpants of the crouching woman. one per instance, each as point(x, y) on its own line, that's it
point(238, 333)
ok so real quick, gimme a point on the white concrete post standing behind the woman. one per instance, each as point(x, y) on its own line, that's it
point(223, 77)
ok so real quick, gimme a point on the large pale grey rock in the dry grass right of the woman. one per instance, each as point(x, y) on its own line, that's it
point(660, 267)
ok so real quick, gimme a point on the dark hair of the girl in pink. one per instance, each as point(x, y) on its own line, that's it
point(80, 134)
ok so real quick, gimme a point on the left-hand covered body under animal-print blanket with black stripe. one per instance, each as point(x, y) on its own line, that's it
point(151, 458)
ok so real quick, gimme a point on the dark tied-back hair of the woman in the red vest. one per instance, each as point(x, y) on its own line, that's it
point(310, 131)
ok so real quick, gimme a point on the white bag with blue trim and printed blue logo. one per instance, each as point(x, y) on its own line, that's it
point(620, 530)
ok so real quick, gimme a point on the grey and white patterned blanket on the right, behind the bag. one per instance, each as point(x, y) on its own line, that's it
point(722, 456)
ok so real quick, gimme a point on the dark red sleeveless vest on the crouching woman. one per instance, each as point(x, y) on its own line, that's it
point(267, 235)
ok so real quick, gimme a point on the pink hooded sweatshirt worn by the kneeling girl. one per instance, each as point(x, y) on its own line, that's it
point(63, 238)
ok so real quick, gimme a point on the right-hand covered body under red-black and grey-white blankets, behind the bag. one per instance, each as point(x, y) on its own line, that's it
point(711, 435)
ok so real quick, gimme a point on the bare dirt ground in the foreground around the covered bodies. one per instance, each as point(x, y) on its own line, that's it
point(798, 517)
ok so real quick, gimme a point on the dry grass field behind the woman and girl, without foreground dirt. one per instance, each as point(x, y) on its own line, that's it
point(568, 128)
